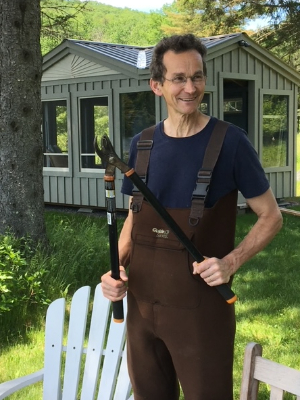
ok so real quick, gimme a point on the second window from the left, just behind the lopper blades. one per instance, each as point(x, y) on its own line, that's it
point(94, 122)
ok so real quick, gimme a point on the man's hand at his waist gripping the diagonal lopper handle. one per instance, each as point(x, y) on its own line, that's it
point(213, 270)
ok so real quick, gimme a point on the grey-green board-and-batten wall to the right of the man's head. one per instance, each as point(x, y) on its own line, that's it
point(263, 79)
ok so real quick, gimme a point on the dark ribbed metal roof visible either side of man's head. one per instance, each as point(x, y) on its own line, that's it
point(136, 56)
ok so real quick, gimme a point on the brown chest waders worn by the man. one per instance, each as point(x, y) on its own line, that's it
point(179, 328)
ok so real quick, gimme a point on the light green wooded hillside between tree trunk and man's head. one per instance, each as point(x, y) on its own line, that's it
point(91, 20)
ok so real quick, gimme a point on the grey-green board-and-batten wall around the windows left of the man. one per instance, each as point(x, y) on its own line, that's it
point(71, 186)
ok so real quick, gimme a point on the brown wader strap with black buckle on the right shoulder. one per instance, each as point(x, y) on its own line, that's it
point(211, 156)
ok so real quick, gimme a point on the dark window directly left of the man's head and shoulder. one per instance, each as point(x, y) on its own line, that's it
point(137, 113)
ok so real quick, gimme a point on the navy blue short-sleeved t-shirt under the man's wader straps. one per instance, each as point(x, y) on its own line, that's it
point(175, 162)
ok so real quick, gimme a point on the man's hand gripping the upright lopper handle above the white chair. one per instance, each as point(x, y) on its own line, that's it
point(113, 289)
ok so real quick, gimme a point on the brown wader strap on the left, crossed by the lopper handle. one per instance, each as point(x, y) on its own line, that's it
point(144, 146)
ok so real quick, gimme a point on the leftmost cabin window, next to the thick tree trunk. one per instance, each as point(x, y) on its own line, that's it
point(55, 133)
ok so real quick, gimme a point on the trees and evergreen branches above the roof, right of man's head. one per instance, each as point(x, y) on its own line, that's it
point(207, 18)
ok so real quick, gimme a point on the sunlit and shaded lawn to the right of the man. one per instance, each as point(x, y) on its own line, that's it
point(268, 309)
